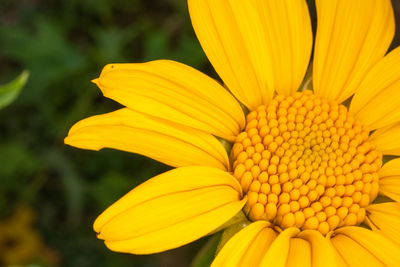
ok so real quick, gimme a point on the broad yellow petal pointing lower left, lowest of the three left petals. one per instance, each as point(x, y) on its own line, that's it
point(170, 210)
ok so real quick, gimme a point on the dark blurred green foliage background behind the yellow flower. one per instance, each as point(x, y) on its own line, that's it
point(50, 193)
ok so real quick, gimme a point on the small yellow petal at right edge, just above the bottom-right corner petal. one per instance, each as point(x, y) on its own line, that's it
point(384, 218)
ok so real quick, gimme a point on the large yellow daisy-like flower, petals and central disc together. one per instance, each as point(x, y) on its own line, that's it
point(305, 165)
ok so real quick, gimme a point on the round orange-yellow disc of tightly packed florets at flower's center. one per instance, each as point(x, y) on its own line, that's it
point(305, 161)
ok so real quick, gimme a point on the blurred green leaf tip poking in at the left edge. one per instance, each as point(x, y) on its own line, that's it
point(10, 91)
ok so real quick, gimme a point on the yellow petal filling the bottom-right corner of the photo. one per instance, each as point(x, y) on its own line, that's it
point(362, 247)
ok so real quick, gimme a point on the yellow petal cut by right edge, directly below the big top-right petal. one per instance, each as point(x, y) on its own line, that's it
point(376, 101)
